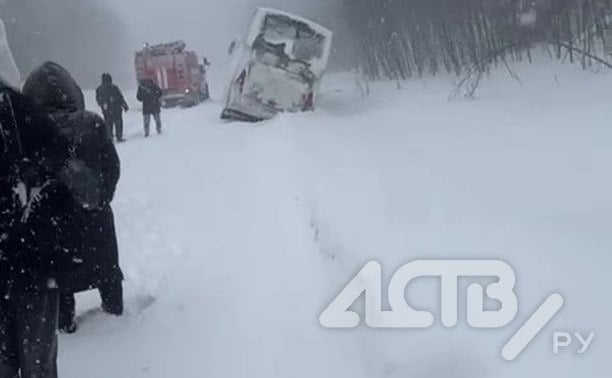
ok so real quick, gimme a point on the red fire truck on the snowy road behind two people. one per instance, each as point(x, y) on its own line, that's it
point(177, 71)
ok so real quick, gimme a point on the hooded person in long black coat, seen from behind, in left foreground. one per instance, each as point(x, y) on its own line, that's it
point(90, 226)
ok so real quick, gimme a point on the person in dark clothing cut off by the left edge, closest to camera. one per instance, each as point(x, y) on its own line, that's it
point(40, 180)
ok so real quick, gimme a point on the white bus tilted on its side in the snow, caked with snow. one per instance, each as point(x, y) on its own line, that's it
point(280, 67)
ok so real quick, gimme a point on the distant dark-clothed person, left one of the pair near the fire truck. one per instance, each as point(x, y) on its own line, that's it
point(111, 101)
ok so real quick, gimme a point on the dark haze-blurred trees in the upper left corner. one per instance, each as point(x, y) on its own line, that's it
point(83, 35)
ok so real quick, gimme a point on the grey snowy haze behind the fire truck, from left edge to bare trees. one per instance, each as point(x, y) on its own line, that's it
point(90, 37)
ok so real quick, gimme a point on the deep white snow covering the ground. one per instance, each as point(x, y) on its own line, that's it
point(234, 237)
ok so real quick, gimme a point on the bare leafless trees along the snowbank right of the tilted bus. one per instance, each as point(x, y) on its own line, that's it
point(404, 38)
